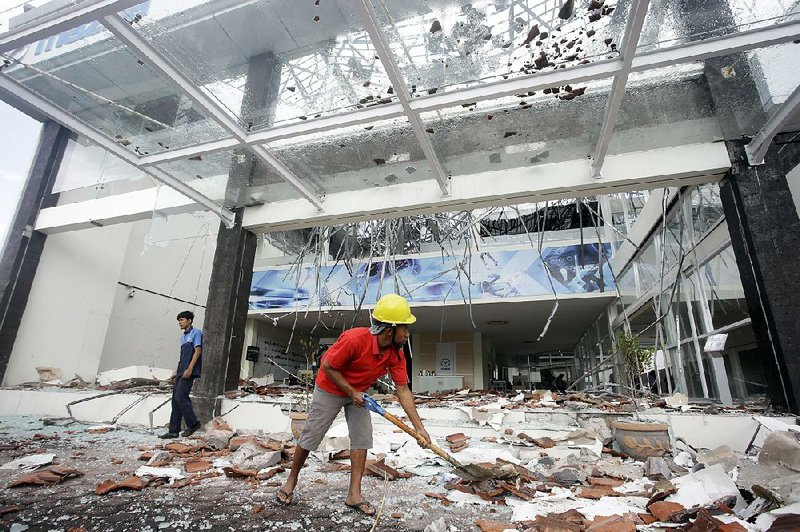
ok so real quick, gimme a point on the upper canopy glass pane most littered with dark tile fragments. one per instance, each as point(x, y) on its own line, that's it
point(449, 44)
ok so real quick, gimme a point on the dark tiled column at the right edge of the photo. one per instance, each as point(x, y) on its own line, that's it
point(765, 234)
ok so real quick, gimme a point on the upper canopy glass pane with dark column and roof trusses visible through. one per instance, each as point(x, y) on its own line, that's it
point(303, 63)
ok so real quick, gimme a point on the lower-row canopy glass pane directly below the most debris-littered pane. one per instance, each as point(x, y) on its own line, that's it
point(519, 131)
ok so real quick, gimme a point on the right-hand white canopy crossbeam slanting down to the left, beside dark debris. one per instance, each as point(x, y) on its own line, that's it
point(630, 41)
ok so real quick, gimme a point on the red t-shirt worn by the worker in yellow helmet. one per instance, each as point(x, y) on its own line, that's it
point(357, 356)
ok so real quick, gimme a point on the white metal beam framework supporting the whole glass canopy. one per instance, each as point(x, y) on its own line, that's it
point(106, 12)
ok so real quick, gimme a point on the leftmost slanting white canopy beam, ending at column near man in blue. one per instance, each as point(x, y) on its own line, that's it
point(108, 144)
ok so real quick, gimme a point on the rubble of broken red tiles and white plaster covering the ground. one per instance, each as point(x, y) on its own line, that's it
point(562, 477)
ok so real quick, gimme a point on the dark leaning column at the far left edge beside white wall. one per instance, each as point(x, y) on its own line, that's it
point(24, 246)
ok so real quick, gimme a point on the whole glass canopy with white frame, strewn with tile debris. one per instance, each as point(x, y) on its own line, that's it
point(258, 101)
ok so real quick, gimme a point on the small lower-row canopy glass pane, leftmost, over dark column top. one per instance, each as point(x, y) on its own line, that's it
point(233, 178)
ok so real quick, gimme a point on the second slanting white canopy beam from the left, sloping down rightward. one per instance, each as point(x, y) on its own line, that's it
point(123, 31)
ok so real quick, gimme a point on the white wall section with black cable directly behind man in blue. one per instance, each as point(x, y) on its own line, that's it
point(172, 257)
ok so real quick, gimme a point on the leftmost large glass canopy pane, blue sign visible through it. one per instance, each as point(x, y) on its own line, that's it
point(91, 75)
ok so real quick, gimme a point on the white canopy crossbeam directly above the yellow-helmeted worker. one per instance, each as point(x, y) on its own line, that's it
point(381, 44)
